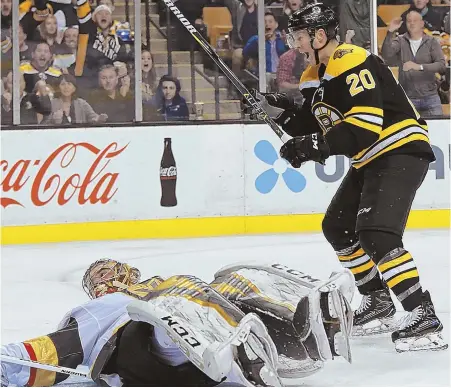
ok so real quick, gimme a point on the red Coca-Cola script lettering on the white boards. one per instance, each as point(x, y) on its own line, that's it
point(53, 180)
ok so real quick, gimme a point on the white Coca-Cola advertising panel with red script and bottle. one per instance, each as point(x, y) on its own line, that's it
point(103, 174)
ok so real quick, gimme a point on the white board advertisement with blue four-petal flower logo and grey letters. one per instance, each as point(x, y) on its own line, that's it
point(273, 187)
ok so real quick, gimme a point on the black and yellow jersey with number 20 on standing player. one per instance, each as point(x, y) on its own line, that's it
point(361, 108)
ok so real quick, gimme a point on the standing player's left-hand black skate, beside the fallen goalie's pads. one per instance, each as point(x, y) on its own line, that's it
point(375, 314)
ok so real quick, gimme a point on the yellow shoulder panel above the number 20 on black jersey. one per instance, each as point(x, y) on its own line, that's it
point(344, 58)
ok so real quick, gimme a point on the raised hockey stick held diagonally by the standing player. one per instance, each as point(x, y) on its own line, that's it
point(228, 73)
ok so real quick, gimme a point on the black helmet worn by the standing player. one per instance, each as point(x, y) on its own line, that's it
point(311, 18)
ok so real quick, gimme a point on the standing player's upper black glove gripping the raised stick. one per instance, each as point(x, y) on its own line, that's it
point(273, 103)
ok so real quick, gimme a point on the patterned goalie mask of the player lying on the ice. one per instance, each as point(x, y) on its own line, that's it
point(106, 276)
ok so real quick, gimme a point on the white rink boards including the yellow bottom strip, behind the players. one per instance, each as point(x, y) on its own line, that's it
point(104, 184)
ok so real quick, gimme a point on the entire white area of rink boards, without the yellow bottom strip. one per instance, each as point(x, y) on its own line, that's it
point(116, 174)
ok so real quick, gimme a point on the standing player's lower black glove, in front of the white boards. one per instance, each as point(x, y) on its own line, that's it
point(301, 149)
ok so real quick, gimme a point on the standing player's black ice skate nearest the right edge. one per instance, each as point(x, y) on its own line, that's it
point(420, 330)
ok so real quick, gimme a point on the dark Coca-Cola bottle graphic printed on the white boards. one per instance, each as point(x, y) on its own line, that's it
point(168, 175)
